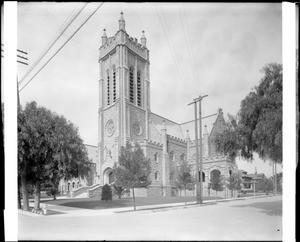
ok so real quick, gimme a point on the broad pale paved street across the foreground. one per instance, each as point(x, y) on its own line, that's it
point(251, 219)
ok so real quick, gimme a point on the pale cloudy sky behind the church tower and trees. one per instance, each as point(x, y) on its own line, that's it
point(214, 49)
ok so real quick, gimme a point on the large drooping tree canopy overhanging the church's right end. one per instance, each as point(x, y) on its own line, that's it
point(258, 126)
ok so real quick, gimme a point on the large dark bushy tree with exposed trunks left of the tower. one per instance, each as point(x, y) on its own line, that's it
point(49, 149)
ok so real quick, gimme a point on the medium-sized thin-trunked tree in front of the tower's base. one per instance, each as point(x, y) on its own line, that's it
point(133, 169)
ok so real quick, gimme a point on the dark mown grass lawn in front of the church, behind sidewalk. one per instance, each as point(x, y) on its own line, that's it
point(96, 203)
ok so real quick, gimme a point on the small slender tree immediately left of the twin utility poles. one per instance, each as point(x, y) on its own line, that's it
point(184, 178)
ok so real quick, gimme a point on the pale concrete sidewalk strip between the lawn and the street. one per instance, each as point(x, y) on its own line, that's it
point(59, 210)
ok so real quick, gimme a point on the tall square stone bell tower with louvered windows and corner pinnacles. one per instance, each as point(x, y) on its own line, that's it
point(124, 95)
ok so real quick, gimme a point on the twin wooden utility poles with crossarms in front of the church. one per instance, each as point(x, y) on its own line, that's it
point(199, 189)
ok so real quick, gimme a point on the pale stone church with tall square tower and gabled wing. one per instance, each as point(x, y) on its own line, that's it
point(125, 115)
